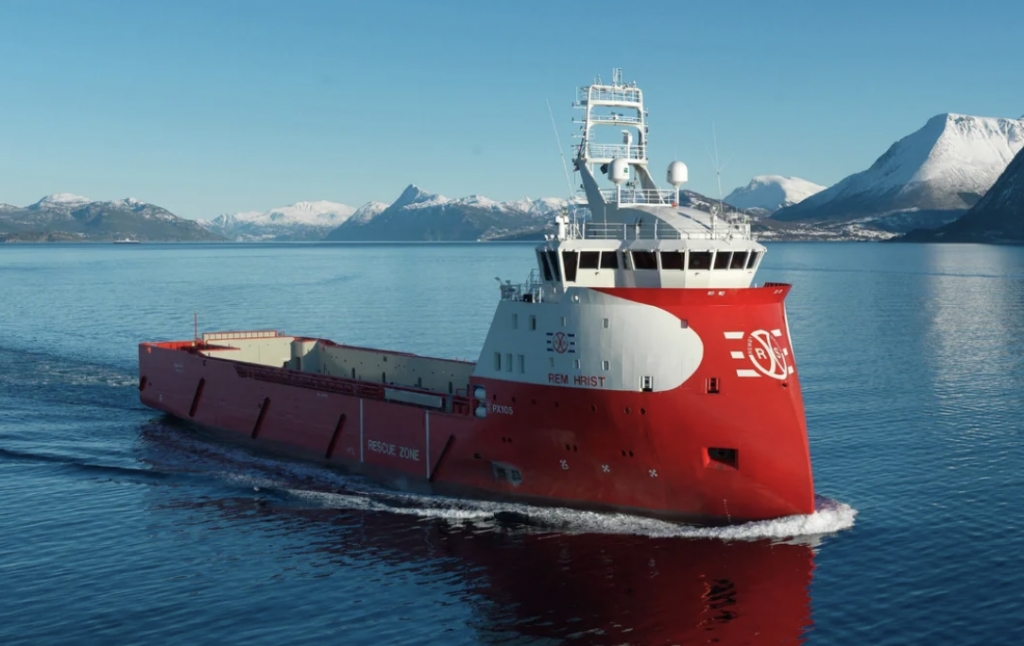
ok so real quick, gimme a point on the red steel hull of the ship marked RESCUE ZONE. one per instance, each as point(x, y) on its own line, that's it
point(654, 453)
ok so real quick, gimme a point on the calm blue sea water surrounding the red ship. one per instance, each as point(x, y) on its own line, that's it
point(121, 527)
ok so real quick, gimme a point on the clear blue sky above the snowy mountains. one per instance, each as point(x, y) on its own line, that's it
point(215, 107)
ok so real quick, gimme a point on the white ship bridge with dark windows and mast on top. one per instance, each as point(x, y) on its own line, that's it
point(633, 234)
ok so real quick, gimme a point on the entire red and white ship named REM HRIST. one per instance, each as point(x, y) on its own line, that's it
point(638, 369)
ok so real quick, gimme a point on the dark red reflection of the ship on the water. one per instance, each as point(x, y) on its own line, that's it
point(537, 585)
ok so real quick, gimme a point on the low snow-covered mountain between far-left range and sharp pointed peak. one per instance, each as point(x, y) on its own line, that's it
point(303, 221)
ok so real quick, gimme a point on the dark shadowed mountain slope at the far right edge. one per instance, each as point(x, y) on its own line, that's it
point(998, 218)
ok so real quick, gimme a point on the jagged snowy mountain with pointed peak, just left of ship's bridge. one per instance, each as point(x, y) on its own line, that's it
point(420, 216)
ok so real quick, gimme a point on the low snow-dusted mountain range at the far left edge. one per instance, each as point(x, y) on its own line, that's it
point(64, 217)
